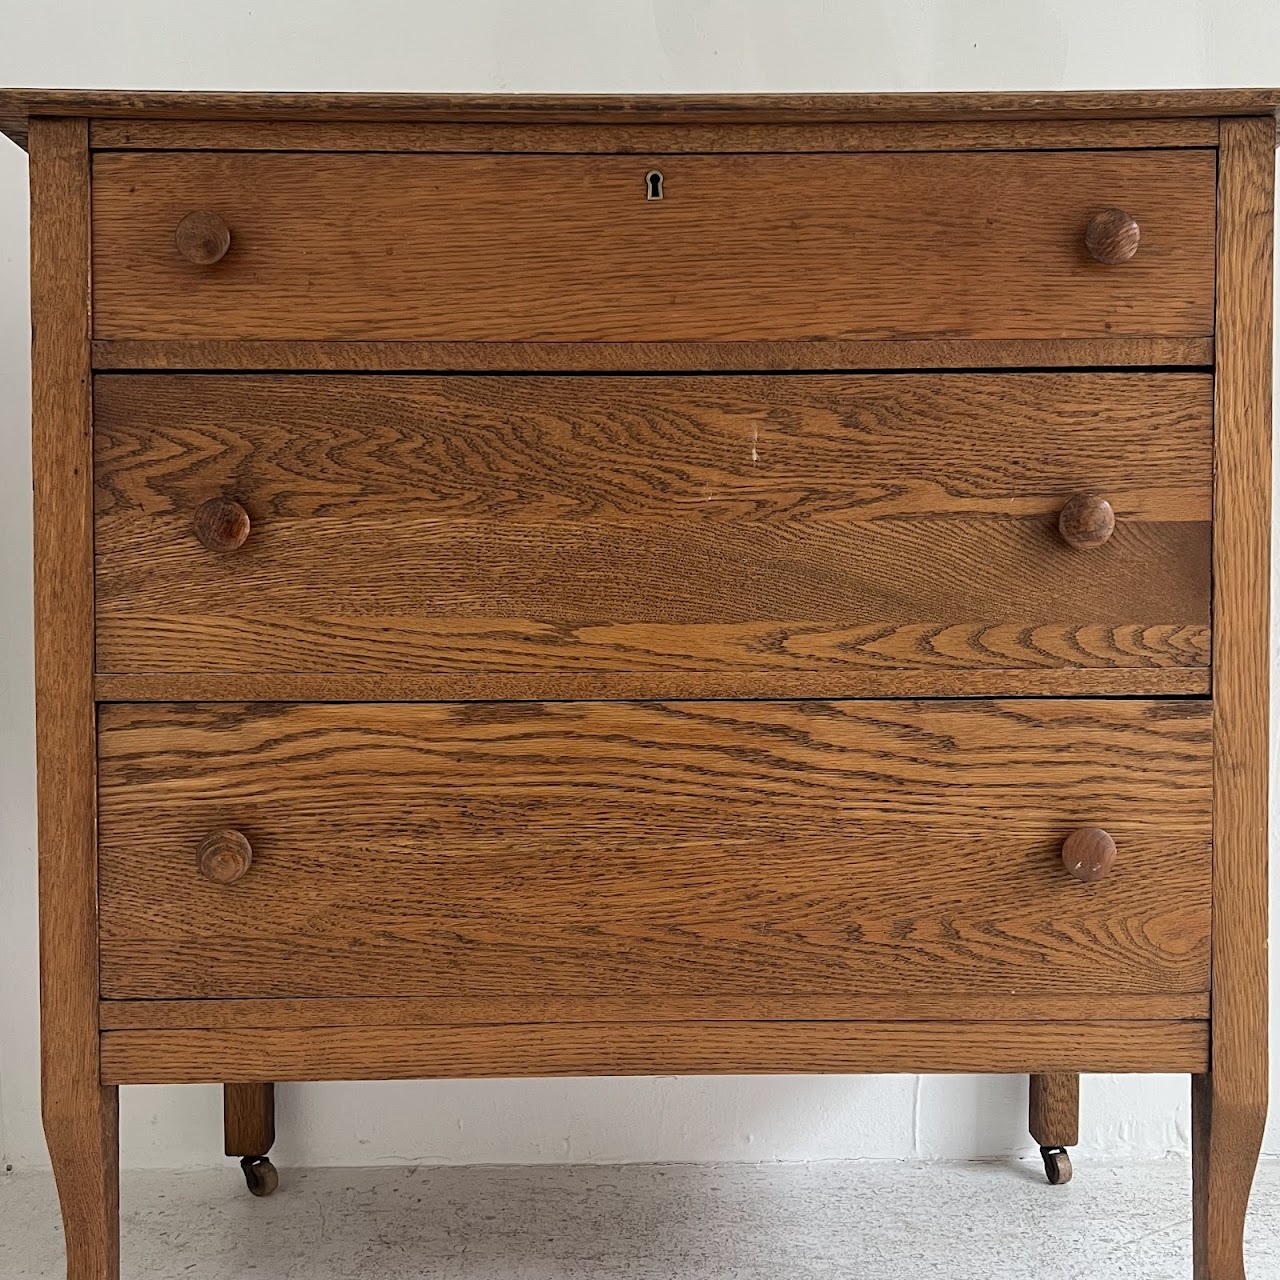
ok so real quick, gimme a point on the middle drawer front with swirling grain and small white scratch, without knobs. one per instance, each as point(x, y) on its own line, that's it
point(772, 528)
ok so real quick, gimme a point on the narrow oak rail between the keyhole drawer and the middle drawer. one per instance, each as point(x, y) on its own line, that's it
point(659, 356)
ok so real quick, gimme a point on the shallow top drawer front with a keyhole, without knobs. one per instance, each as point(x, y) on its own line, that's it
point(742, 248)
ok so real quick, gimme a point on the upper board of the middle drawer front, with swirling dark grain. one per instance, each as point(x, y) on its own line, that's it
point(628, 446)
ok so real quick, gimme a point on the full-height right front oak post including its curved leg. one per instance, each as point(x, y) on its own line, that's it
point(1229, 1108)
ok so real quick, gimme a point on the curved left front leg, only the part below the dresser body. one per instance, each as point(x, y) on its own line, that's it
point(83, 1133)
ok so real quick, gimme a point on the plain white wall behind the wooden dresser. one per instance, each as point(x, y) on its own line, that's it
point(555, 45)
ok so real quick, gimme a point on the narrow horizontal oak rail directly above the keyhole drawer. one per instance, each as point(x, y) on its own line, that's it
point(644, 139)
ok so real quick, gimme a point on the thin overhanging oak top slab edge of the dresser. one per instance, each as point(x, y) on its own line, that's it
point(19, 106)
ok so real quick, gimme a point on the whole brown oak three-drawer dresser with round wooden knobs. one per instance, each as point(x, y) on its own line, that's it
point(570, 587)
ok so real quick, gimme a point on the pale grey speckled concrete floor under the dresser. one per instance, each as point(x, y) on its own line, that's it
point(865, 1220)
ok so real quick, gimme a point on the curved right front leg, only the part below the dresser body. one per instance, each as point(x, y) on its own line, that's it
point(1227, 1139)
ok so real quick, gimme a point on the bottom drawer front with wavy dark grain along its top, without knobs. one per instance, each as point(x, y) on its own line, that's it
point(660, 849)
